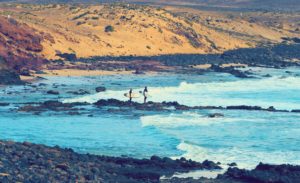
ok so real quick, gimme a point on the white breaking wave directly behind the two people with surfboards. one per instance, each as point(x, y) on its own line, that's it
point(282, 93)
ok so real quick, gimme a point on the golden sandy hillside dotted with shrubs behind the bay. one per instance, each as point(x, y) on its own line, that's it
point(123, 29)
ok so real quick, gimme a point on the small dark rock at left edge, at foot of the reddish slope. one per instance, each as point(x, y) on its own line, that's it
point(10, 78)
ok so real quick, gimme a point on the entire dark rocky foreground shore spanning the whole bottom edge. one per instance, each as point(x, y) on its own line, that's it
point(27, 162)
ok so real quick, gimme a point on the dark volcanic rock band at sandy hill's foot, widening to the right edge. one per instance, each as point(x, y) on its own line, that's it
point(266, 56)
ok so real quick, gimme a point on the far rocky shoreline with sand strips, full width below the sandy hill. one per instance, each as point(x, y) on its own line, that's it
point(270, 56)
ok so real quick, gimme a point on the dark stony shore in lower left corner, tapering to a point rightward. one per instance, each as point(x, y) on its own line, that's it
point(26, 162)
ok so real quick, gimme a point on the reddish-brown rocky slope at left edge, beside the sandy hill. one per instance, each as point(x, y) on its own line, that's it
point(20, 45)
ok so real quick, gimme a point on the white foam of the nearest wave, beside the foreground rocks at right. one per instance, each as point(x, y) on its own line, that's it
point(244, 158)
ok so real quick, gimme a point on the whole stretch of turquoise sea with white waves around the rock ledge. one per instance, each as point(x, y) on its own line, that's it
point(245, 137)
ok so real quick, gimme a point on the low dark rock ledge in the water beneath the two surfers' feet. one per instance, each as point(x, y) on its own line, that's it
point(58, 106)
